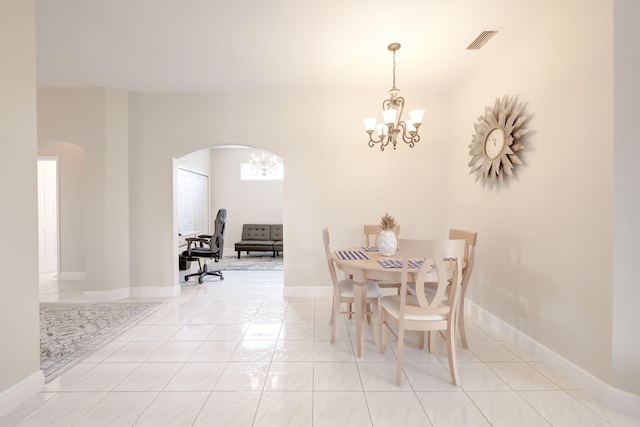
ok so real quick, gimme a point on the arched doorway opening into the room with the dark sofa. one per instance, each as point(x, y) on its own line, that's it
point(250, 195)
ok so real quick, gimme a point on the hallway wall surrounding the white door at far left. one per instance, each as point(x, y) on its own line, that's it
point(70, 200)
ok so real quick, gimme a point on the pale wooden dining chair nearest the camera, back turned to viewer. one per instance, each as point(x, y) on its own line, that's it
point(420, 311)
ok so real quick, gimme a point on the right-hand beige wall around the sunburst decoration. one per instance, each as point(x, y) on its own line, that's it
point(547, 235)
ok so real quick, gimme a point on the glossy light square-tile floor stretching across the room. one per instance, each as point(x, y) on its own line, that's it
point(236, 353)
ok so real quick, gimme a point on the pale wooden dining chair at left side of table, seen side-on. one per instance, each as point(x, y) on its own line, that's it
point(343, 291)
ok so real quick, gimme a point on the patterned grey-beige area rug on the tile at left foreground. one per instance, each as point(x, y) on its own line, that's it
point(68, 331)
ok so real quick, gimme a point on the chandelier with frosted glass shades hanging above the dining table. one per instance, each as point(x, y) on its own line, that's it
point(392, 126)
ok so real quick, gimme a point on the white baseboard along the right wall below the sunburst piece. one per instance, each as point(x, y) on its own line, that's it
point(605, 394)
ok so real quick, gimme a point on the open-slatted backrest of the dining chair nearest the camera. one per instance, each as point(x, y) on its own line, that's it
point(433, 253)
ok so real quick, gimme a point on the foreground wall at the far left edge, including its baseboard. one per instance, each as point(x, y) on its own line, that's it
point(20, 375)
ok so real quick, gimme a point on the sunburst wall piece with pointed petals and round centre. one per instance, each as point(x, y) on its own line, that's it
point(496, 141)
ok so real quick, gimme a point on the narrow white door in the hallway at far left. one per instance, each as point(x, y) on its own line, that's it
point(48, 215)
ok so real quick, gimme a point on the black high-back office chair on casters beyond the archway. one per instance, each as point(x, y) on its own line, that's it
point(207, 246)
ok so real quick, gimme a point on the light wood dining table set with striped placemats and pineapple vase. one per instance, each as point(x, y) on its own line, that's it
point(366, 263)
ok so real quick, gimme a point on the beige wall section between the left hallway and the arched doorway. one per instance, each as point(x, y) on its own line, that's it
point(96, 119)
